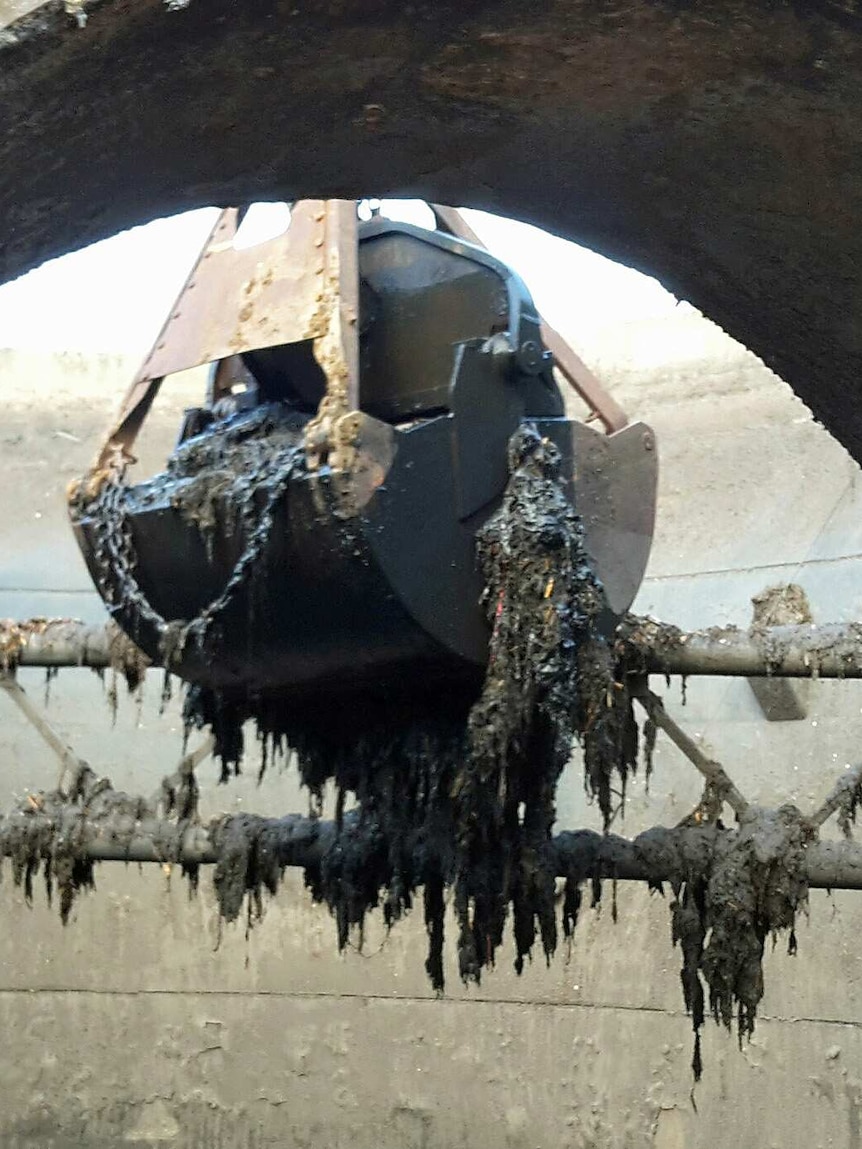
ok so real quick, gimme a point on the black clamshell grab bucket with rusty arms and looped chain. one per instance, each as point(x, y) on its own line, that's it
point(389, 371)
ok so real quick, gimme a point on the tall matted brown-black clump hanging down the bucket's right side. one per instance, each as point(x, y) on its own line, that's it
point(550, 680)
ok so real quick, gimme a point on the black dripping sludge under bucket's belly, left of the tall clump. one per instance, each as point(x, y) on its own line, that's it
point(398, 765)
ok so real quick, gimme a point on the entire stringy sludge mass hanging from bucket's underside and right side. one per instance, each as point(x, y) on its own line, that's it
point(457, 790)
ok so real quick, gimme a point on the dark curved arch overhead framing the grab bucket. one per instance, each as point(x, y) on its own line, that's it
point(715, 144)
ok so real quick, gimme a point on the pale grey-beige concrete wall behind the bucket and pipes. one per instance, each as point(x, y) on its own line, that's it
point(142, 1025)
